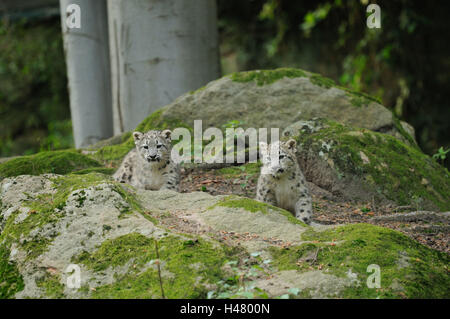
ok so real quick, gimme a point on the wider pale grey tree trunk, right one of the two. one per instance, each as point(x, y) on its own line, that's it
point(160, 49)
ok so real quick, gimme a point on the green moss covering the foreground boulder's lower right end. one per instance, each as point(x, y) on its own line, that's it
point(360, 245)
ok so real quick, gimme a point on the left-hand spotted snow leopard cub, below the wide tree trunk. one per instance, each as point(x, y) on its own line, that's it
point(149, 165)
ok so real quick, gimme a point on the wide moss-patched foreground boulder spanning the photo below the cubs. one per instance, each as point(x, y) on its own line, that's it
point(127, 244)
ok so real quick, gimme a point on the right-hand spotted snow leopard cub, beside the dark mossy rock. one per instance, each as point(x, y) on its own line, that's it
point(282, 184)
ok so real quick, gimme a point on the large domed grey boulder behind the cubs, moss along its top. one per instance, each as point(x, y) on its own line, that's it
point(278, 98)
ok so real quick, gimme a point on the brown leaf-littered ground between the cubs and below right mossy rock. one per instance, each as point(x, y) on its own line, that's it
point(328, 209)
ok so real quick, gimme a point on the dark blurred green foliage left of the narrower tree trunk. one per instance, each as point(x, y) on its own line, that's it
point(34, 108)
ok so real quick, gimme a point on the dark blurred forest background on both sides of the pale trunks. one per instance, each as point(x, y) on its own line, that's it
point(406, 63)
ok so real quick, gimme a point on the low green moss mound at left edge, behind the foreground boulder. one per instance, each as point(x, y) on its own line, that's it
point(58, 162)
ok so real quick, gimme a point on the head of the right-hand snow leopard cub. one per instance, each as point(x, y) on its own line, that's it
point(278, 158)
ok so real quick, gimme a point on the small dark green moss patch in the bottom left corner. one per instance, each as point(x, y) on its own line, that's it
point(11, 281)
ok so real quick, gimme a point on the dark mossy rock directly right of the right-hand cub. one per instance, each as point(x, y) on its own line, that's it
point(360, 164)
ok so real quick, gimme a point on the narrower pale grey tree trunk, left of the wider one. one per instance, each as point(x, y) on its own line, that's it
point(88, 71)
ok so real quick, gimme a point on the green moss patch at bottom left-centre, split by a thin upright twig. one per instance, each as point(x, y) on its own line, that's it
point(180, 279)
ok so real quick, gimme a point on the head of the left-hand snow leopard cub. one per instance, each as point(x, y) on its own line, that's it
point(153, 146)
